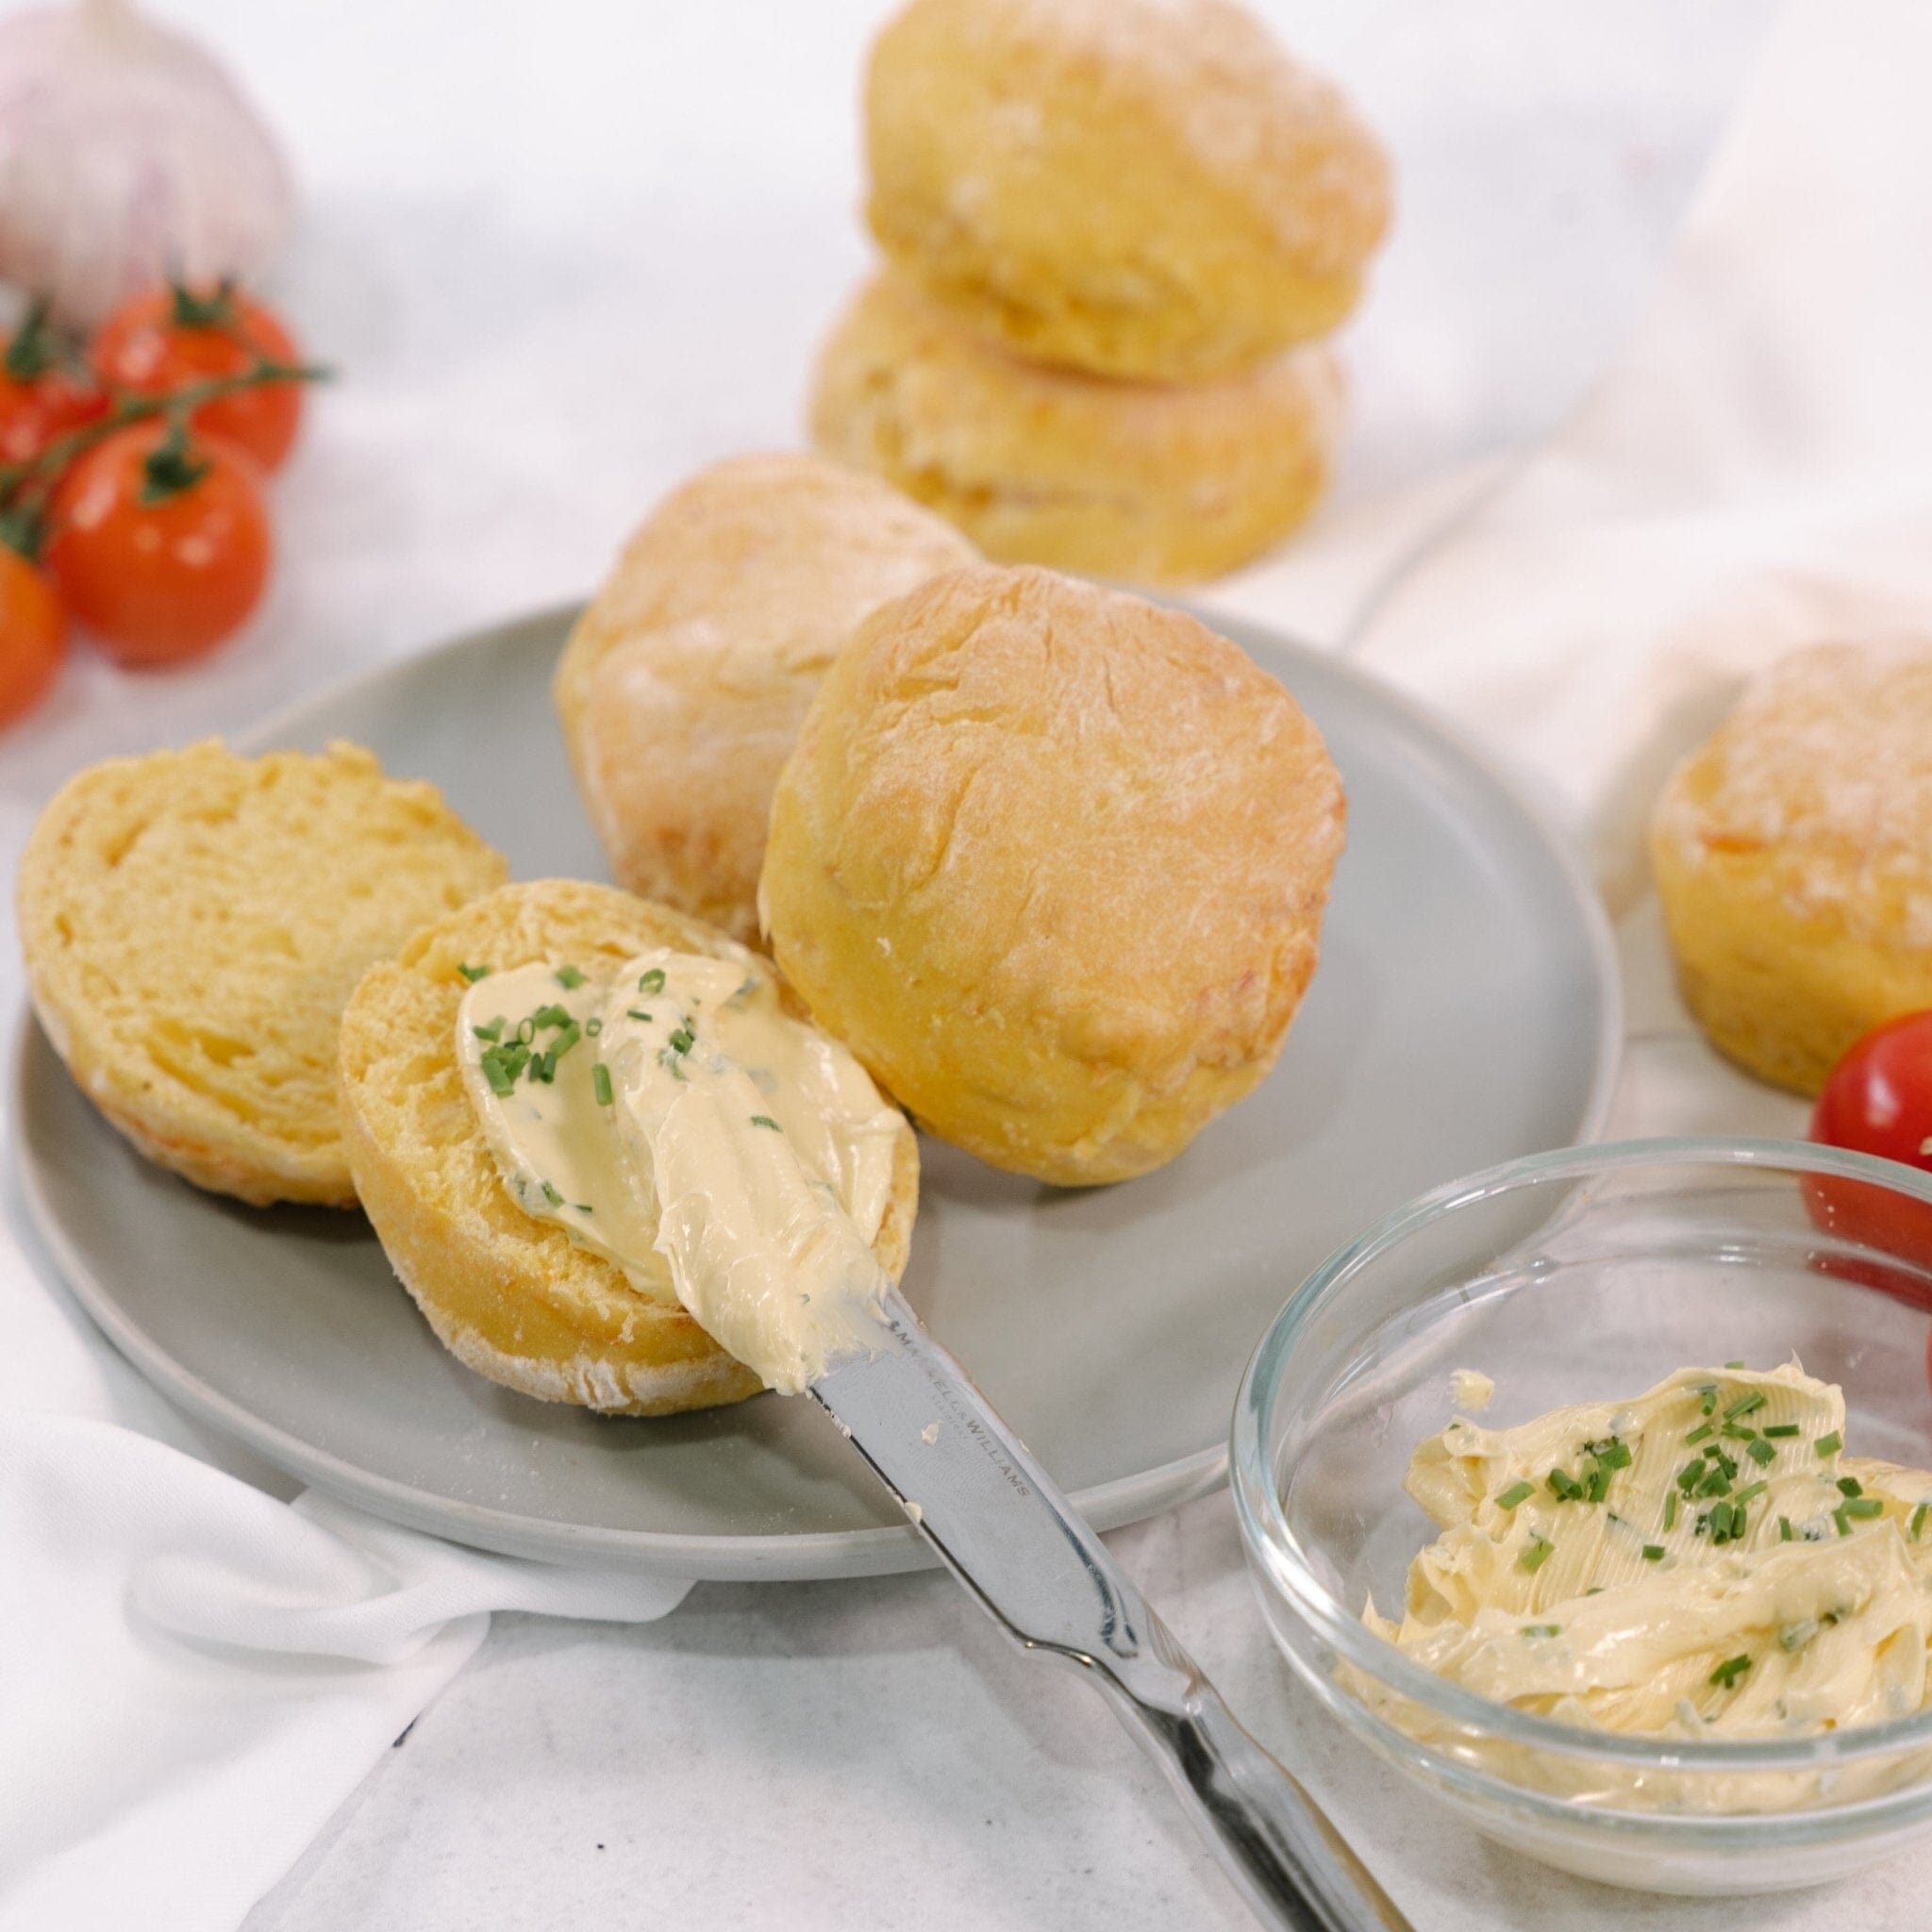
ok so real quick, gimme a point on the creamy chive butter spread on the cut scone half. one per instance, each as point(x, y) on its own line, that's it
point(677, 1122)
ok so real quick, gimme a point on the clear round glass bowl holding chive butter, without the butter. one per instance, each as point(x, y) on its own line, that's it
point(1577, 1278)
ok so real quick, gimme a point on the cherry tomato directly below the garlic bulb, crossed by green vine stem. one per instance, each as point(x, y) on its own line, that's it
point(161, 341)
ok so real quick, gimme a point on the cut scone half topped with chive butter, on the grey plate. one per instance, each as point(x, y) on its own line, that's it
point(611, 1160)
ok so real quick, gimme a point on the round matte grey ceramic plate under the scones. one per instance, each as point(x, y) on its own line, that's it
point(1465, 1013)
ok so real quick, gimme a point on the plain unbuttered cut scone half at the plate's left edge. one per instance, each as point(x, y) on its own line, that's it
point(194, 924)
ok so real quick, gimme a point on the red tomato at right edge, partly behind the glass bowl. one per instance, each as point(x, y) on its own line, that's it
point(1879, 1100)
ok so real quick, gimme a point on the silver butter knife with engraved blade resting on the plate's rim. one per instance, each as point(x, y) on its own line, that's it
point(1013, 1541)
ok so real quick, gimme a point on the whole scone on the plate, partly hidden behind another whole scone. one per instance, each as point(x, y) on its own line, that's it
point(685, 683)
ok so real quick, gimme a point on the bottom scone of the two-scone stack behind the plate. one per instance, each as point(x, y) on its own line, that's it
point(1156, 484)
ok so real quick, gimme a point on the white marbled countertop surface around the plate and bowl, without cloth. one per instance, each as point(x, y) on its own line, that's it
point(565, 256)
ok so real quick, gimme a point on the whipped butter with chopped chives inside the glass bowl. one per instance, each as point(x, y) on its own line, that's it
point(1699, 1562)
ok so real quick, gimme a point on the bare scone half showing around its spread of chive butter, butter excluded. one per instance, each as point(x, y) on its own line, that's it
point(511, 1295)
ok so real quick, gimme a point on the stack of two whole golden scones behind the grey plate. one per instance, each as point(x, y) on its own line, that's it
point(1116, 237)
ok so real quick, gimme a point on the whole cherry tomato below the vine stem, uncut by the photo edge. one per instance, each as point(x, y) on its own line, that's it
point(161, 542)
